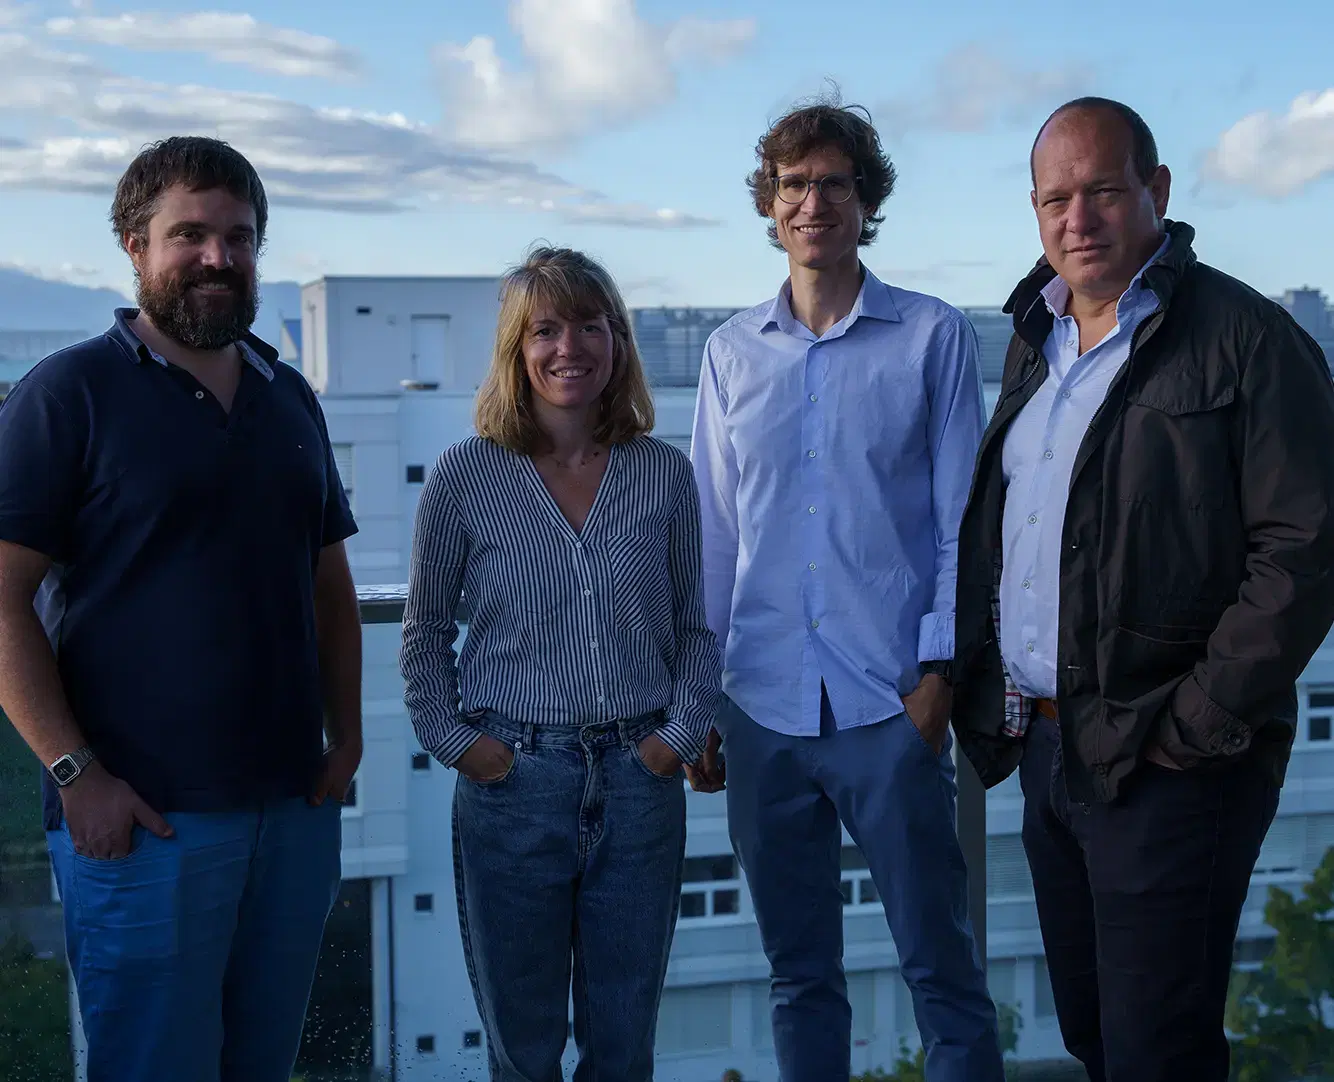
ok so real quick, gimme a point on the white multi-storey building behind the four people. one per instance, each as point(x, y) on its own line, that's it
point(398, 362)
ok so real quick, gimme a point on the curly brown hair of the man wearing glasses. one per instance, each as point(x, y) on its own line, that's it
point(816, 127)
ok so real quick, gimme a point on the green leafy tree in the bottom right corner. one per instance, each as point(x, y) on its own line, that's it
point(1279, 1012)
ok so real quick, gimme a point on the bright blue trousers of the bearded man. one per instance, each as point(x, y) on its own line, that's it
point(194, 956)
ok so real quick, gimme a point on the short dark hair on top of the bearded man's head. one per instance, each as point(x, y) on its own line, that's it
point(197, 163)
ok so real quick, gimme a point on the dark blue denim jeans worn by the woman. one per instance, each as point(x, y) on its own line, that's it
point(573, 857)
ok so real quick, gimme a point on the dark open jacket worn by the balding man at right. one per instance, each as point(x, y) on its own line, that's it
point(1197, 564)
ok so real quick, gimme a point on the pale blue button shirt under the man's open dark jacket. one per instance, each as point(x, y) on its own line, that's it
point(1039, 461)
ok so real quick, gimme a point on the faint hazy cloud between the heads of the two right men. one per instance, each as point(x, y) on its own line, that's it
point(976, 89)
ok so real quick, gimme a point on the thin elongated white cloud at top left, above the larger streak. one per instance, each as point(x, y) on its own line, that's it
point(230, 38)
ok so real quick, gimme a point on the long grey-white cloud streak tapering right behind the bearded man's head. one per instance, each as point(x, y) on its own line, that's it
point(325, 158)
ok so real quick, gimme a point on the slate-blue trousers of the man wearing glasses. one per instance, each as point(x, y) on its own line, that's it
point(896, 796)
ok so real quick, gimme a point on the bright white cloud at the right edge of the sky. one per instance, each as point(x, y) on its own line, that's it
point(1277, 157)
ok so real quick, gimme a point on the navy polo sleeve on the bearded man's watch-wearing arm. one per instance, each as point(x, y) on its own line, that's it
point(42, 472)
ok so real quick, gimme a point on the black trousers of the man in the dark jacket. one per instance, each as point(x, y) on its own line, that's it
point(1139, 904)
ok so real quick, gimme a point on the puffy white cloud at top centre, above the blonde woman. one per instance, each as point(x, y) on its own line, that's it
point(592, 63)
